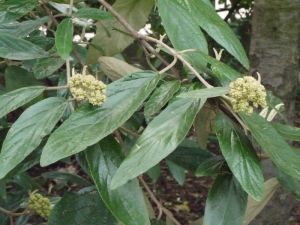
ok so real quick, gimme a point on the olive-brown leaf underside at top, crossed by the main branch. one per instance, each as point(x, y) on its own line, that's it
point(107, 35)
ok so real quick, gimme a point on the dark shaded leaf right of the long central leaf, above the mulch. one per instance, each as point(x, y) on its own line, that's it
point(188, 155)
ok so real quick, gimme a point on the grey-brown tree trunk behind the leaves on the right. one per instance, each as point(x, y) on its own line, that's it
point(274, 54)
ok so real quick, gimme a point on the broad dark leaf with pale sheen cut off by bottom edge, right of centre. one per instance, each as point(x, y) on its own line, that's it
point(226, 202)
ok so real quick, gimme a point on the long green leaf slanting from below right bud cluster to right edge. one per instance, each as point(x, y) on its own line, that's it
point(273, 144)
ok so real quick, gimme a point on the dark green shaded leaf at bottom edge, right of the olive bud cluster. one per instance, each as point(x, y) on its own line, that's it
point(87, 208)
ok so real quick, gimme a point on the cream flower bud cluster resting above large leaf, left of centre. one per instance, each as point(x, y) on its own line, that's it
point(87, 87)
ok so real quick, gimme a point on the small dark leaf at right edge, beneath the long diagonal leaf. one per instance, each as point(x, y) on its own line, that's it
point(288, 183)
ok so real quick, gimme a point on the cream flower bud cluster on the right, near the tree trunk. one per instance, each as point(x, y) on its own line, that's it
point(245, 90)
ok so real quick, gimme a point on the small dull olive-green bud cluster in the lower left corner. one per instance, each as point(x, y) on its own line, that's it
point(39, 204)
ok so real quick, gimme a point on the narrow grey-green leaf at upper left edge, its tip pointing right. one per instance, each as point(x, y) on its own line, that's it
point(22, 29)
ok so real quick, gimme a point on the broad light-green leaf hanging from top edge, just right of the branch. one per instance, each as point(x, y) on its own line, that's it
point(182, 29)
